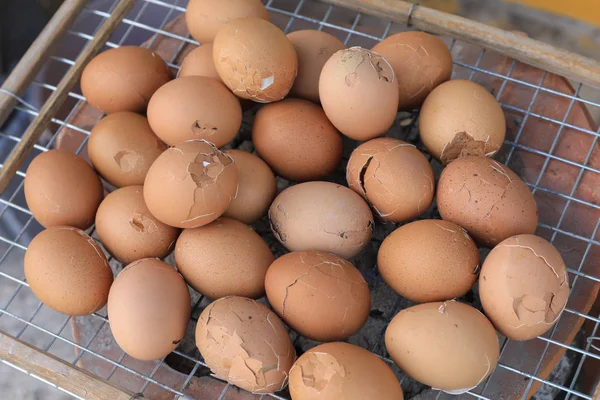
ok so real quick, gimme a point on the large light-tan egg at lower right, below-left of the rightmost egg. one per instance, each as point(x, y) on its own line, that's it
point(449, 346)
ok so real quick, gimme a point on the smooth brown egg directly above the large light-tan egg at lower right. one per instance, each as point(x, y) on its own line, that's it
point(429, 260)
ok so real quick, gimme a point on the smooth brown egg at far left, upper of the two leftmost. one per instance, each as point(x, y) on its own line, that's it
point(62, 189)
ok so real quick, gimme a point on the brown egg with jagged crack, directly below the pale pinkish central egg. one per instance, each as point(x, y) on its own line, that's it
point(319, 295)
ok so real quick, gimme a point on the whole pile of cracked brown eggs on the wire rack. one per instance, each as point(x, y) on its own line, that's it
point(176, 189)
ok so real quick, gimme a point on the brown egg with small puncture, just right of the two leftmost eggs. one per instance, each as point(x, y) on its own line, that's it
point(128, 230)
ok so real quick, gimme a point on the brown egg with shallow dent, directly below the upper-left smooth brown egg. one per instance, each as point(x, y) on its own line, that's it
point(122, 147)
